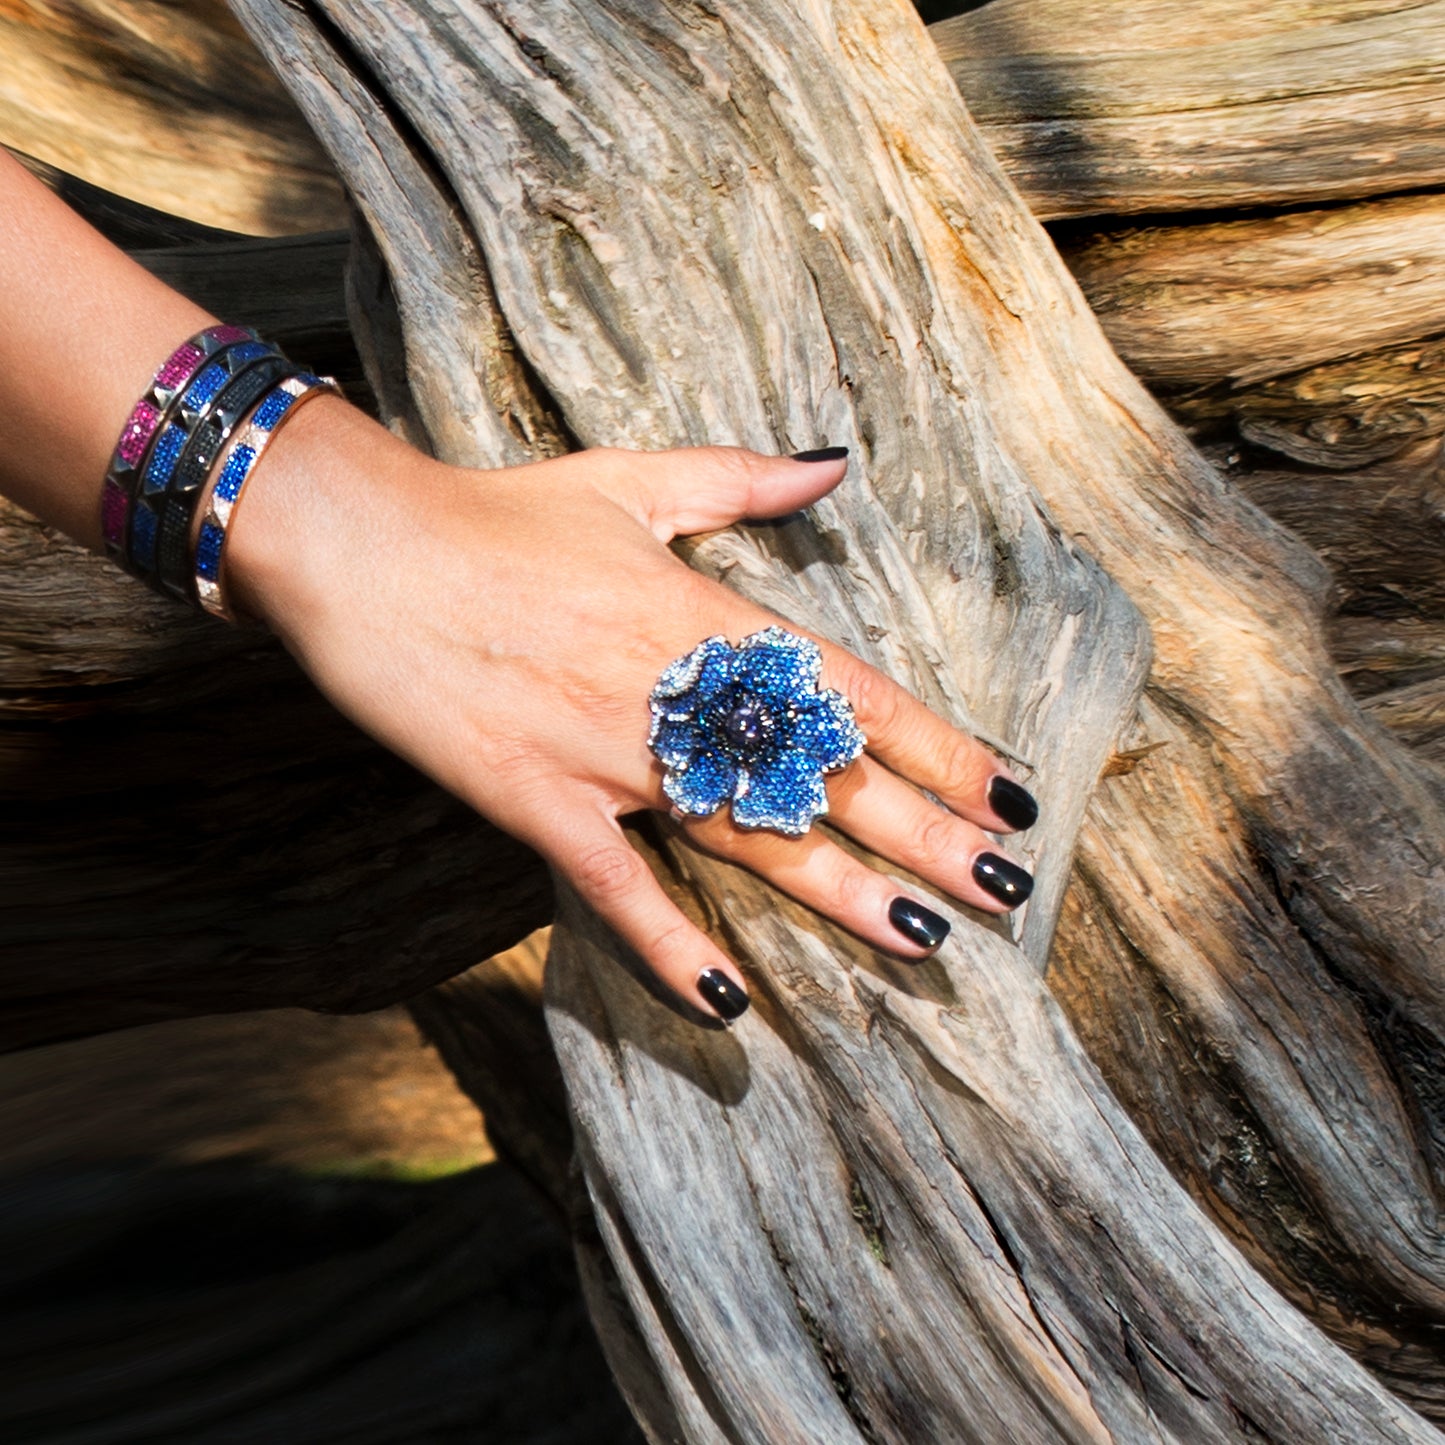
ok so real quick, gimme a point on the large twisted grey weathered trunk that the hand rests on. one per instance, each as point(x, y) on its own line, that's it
point(902, 1206)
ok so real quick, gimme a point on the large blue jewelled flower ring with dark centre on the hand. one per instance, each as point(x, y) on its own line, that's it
point(751, 726)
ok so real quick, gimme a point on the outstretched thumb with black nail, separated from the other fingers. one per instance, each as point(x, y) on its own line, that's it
point(702, 489)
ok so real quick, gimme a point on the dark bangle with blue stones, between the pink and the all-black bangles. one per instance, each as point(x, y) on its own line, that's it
point(165, 469)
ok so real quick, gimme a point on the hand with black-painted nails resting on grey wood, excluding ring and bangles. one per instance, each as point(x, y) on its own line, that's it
point(504, 632)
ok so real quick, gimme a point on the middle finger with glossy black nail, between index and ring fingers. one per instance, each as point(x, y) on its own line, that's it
point(895, 821)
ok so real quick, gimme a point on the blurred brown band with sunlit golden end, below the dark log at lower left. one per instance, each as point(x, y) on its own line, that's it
point(322, 1095)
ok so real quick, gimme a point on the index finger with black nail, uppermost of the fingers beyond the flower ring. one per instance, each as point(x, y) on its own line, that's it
point(927, 751)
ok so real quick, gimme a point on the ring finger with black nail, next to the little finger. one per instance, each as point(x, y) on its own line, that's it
point(819, 874)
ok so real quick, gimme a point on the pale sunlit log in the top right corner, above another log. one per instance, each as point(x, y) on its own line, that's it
point(1096, 109)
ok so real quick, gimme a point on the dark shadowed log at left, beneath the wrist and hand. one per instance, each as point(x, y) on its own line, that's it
point(190, 829)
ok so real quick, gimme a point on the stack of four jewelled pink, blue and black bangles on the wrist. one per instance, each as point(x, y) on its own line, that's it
point(168, 453)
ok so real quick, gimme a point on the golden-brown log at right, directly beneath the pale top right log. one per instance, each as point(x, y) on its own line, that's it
point(1319, 335)
